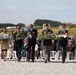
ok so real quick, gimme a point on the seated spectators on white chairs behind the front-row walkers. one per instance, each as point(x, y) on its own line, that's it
point(39, 51)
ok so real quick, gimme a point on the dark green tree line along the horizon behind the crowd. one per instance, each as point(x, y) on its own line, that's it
point(38, 23)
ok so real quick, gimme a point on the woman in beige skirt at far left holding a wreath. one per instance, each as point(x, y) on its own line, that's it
point(4, 43)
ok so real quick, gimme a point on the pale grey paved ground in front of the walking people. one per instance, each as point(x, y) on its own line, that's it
point(10, 67)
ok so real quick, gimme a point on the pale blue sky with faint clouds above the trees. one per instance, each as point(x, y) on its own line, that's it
point(27, 11)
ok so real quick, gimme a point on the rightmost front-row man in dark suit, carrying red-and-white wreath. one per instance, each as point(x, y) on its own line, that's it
point(63, 43)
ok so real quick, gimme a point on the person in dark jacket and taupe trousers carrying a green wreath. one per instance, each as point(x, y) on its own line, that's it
point(47, 43)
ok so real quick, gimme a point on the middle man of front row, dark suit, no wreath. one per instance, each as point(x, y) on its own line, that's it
point(32, 35)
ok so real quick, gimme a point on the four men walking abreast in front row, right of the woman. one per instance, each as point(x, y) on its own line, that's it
point(31, 42)
